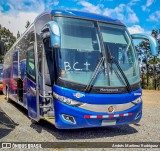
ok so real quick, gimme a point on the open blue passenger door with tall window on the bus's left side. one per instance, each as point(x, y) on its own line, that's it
point(33, 104)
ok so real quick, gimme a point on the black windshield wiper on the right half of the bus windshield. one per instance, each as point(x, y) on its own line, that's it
point(111, 60)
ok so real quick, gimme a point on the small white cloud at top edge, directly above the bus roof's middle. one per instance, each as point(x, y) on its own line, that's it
point(90, 7)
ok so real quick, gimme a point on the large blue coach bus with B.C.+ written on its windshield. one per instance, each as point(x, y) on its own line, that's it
point(76, 70)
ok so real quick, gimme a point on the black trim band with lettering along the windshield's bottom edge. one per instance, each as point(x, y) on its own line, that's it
point(97, 90)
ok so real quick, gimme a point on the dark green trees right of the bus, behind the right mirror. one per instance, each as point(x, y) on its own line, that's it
point(150, 65)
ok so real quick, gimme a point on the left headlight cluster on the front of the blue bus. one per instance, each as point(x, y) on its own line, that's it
point(67, 100)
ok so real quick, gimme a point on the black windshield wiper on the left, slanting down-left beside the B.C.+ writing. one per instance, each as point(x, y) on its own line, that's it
point(95, 73)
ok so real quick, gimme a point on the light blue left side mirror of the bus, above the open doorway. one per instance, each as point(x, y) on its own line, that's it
point(52, 30)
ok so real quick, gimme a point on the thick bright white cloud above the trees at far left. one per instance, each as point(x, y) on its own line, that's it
point(18, 22)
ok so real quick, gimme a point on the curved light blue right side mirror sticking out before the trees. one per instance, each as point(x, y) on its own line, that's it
point(152, 41)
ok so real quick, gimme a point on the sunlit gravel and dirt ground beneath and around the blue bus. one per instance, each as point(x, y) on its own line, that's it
point(16, 126)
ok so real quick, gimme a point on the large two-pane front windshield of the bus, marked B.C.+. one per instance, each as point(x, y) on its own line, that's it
point(84, 42)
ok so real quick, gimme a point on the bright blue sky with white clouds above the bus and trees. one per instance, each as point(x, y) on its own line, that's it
point(138, 15)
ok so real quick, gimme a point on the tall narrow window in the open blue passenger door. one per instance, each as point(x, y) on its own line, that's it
point(31, 73)
